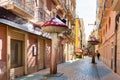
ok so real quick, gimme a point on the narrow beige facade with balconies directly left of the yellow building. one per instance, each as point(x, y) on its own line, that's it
point(70, 38)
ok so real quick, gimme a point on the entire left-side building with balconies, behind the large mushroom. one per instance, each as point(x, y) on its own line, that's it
point(24, 47)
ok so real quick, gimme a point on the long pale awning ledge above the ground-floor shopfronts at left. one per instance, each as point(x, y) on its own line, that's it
point(23, 27)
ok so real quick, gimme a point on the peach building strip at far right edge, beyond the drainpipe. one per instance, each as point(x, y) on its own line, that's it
point(115, 7)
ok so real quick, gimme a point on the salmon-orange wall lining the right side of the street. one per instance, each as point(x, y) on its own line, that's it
point(108, 39)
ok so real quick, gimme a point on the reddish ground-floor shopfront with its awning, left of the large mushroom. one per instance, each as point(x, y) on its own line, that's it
point(25, 51)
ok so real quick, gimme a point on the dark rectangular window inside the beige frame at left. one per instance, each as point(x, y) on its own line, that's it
point(16, 53)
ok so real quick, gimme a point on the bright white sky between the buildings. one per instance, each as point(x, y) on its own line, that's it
point(86, 9)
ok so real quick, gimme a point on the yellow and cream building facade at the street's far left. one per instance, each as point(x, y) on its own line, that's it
point(80, 42)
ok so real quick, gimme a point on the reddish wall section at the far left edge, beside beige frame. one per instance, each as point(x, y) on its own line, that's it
point(3, 51)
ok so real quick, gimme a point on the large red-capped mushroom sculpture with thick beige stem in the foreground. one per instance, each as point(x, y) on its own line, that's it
point(54, 26)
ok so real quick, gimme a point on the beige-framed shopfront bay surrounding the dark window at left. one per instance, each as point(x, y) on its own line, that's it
point(16, 52)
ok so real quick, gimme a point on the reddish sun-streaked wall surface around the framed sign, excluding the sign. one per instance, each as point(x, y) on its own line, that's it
point(32, 60)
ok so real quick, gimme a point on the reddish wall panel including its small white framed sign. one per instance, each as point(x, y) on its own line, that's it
point(32, 53)
